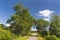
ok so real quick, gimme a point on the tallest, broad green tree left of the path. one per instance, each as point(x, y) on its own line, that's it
point(21, 21)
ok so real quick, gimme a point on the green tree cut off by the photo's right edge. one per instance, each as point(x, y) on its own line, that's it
point(55, 25)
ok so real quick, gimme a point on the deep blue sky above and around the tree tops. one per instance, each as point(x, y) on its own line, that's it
point(34, 6)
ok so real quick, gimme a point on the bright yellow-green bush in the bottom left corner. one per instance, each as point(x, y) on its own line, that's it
point(6, 35)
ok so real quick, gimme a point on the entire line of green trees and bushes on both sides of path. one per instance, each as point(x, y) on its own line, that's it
point(21, 23)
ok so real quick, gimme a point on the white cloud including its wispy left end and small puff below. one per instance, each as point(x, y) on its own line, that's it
point(46, 14)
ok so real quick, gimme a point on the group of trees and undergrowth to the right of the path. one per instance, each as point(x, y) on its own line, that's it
point(53, 32)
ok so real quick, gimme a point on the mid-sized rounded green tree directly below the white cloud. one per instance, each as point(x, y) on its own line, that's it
point(41, 25)
